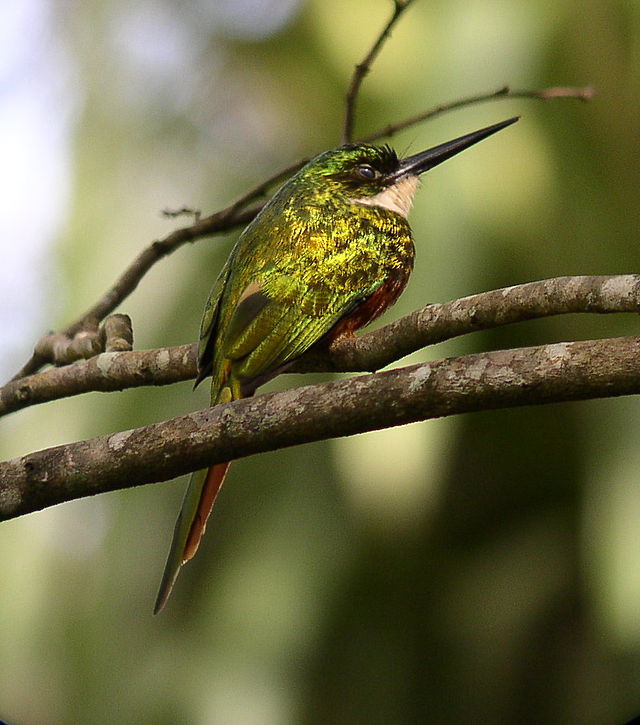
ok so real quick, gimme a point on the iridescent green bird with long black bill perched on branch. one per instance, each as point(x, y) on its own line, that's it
point(328, 254)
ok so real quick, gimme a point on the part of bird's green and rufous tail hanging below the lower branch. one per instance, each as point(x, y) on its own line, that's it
point(192, 520)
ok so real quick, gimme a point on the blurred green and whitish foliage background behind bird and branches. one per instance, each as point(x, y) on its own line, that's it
point(482, 569)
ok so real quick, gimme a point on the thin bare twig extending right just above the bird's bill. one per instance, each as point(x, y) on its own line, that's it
point(545, 94)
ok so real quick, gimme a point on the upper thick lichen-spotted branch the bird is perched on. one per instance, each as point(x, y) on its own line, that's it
point(372, 351)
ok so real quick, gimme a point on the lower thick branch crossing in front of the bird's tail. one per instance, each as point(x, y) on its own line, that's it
point(507, 378)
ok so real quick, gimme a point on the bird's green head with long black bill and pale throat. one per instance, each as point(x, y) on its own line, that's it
point(375, 176)
